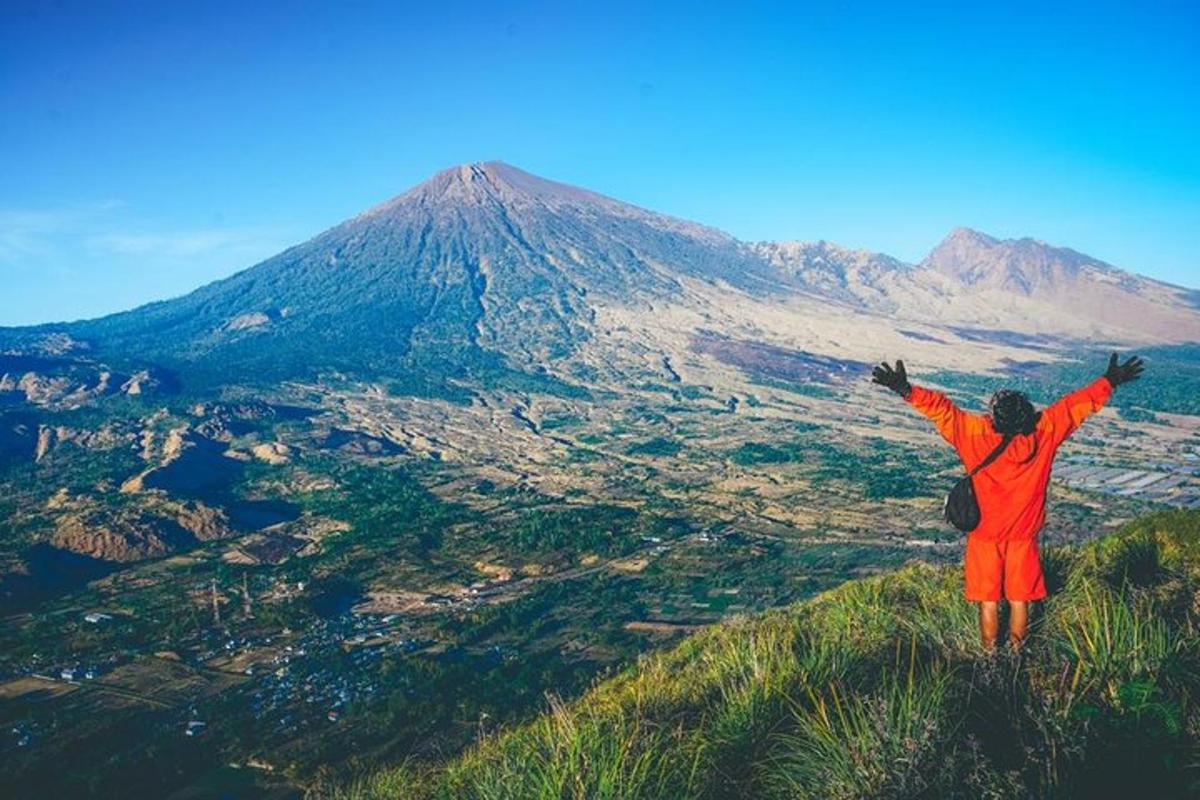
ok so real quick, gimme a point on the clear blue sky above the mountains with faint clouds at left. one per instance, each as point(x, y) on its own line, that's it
point(147, 148)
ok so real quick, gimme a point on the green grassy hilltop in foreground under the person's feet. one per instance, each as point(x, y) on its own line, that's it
point(878, 689)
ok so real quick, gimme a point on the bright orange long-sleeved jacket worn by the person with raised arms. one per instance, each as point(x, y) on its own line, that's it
point(1012, 490)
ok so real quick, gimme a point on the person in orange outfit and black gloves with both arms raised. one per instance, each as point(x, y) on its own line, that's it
point(1001, 560)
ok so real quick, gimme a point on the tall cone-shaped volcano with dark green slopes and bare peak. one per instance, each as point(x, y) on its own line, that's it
point(479, 258)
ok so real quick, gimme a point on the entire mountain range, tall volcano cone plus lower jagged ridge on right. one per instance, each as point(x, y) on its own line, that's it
point(485, 272)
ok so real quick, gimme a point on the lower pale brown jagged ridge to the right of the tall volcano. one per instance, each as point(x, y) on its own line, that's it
point(976, 281)
